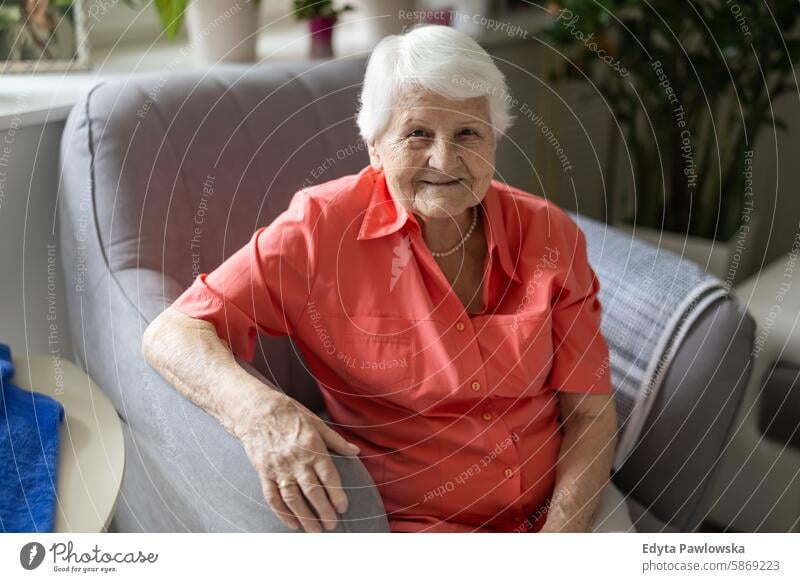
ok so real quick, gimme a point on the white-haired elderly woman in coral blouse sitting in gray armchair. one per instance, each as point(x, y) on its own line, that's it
point(451, 321)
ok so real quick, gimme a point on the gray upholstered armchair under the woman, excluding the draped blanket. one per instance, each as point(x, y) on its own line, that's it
point(136, 156)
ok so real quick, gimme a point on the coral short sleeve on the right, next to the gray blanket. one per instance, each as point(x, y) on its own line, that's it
point(581, 360)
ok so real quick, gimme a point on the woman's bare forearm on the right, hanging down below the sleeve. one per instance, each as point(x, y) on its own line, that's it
point(584, 463)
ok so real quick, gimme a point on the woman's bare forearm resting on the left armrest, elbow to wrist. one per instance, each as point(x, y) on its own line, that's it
point(189, 355)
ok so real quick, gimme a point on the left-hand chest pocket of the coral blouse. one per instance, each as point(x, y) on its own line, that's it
point(376, 357)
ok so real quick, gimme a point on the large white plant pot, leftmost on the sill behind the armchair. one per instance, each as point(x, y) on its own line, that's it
point(222, 31)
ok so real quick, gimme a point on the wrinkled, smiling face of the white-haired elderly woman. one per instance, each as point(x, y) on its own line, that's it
point(438, 155)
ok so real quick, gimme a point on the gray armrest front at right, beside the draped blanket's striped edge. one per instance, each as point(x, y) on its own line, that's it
point(673, 462)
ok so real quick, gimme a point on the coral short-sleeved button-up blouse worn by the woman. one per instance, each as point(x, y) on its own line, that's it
point(456, 414)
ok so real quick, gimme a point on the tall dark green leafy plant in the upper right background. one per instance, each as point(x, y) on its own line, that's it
point(691, 88)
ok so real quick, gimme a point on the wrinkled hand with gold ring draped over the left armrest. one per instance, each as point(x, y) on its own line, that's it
point(285, 440)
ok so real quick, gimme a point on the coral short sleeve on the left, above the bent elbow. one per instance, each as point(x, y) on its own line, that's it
point(262, 287)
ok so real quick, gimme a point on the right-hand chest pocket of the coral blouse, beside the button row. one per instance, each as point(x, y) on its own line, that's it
point(519, 353)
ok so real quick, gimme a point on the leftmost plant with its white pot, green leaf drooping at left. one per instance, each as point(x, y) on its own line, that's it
point(219, 30)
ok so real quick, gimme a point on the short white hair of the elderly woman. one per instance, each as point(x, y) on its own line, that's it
point(438, 58)
